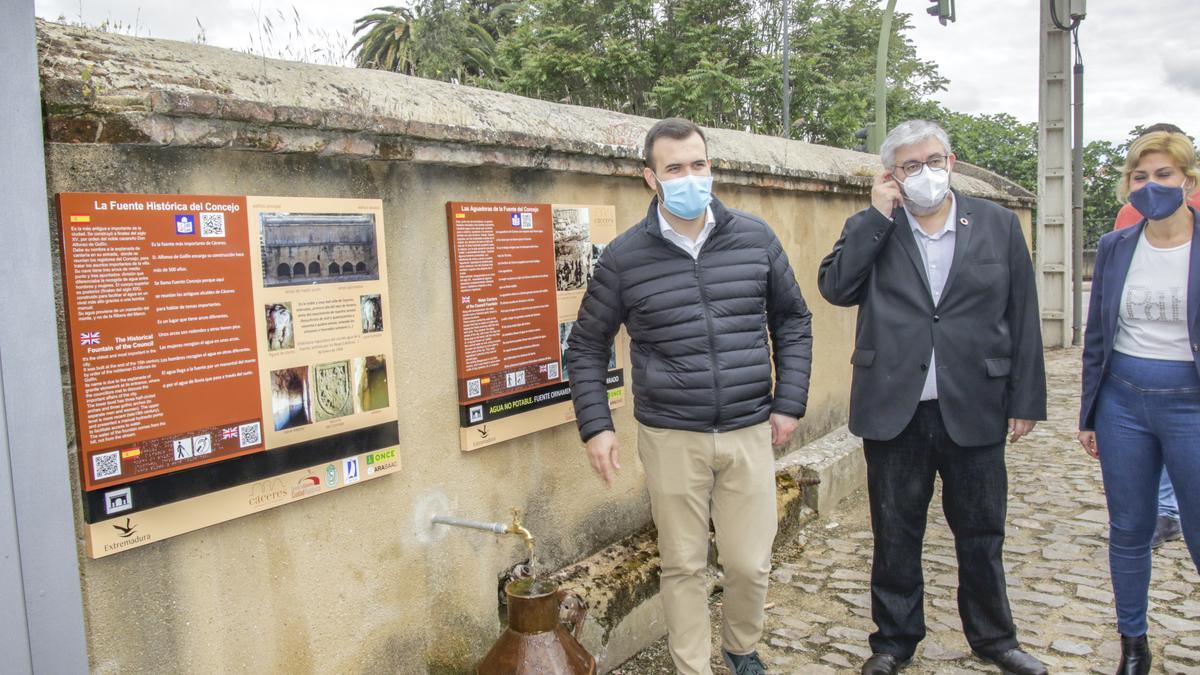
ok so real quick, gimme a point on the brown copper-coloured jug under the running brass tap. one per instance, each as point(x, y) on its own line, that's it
point(536, 641)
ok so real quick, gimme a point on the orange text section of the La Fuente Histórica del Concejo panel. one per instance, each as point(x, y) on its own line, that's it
point(163, 341)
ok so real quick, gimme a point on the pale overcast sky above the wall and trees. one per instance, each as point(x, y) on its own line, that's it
point(1139, 65)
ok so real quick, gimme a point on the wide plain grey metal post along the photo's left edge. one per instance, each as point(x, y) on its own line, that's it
point(41, 604)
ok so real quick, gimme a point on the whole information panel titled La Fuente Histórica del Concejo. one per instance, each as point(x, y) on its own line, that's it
point(223, 348)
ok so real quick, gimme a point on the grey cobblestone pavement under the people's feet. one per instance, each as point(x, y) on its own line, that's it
point(1055, 554)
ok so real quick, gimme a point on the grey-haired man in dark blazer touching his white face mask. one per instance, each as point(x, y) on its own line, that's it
point(947, 362)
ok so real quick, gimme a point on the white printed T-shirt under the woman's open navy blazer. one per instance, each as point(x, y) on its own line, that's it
point(1153, 322)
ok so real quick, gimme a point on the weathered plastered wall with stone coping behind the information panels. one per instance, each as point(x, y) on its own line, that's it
point(357, 581)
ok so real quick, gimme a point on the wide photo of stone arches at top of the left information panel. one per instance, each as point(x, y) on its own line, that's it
point(319, 249)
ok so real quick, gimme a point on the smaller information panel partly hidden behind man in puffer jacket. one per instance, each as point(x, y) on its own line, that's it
point(520, 273)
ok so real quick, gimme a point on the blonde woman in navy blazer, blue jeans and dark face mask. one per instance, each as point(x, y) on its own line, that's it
point(1141, 408)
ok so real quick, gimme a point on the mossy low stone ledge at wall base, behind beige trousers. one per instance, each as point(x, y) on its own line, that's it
point(621, 583)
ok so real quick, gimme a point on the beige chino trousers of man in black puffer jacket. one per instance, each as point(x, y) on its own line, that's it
point(729, 477)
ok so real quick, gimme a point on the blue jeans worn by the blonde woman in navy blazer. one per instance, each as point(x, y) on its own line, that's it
point(1148, 417)
